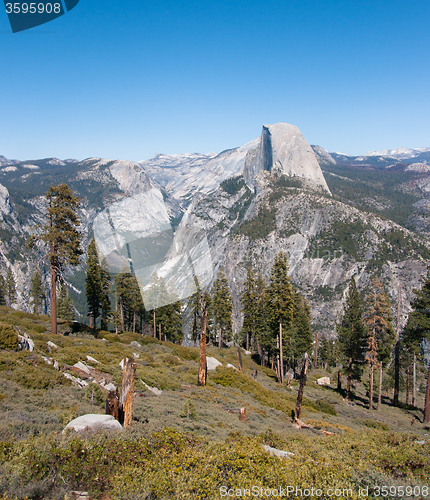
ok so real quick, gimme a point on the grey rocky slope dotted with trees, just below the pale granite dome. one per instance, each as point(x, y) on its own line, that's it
point(326, 241)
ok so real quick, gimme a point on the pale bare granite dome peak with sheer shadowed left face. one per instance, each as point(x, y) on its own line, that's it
point(283, 149)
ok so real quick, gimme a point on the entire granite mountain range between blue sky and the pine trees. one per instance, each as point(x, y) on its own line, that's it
point(334, 216)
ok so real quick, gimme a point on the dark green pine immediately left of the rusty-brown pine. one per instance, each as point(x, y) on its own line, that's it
point(352, 335)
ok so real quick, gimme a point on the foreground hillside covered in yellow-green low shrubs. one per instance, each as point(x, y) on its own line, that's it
point(202, 452)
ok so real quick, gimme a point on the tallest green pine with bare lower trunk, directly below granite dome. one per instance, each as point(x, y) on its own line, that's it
point(281, 304)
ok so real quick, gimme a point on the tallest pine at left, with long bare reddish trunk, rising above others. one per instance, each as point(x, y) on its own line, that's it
point(61, 235)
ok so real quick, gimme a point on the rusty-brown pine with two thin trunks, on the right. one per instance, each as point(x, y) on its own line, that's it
point(381, 333)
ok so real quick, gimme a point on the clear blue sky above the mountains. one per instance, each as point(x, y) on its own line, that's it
point(120, 79)
